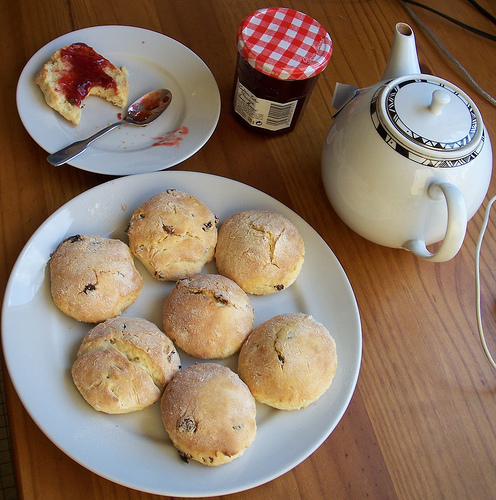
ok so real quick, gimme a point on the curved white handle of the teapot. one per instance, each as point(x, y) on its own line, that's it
point(456, 227)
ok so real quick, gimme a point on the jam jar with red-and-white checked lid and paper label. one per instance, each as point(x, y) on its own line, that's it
point(281, 52)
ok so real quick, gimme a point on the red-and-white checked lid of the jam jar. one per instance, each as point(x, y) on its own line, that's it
point(284, 43)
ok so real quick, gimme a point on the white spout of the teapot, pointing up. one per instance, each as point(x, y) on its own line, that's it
point(403, 59)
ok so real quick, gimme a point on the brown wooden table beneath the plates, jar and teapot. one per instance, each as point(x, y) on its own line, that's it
point(422, 421)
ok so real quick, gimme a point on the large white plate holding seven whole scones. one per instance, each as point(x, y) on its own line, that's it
point(40, 345)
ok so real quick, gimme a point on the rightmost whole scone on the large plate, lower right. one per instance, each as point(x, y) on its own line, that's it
point(288, 361)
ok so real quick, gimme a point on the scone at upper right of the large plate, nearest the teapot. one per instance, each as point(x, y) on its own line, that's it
point(262, 251)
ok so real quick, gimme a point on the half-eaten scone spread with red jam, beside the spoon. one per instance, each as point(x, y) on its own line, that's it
point(76, 71)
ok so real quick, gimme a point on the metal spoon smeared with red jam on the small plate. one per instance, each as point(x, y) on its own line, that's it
point(141, 112)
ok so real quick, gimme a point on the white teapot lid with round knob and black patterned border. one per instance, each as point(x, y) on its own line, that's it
point(429, 120)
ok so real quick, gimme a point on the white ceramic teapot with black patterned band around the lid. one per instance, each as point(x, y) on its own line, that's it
point(408, 161)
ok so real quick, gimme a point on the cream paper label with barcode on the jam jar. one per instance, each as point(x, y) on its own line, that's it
point(262, 113)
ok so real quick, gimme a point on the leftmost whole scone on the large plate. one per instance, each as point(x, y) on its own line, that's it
point(93, 278)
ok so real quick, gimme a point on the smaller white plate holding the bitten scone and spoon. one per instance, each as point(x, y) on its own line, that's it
point(153, 61)
